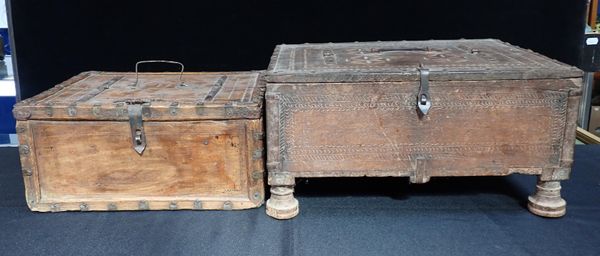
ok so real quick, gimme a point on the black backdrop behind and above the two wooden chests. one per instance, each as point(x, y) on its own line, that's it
point(58, 39)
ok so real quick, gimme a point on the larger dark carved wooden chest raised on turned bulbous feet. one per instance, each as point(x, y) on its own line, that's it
point(419, 109)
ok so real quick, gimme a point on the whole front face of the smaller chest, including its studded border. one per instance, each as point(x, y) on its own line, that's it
point(187, 165)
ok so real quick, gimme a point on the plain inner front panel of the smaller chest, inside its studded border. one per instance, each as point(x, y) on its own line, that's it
point(96, 161)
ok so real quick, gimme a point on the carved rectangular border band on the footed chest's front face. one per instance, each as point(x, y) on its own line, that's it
point(291, 104)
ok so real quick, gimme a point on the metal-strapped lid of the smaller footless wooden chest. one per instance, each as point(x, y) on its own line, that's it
point(160, 96)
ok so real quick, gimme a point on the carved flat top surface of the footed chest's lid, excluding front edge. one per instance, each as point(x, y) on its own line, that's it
point(457, 54)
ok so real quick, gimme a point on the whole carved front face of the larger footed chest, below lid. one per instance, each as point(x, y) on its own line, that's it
point(473, 128)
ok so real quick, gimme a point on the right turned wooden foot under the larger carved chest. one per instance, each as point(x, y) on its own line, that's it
point(546, 201)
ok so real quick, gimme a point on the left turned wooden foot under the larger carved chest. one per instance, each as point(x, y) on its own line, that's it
point(282, 204)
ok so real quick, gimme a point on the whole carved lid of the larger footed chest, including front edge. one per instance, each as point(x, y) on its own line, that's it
point(481, 59)
